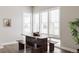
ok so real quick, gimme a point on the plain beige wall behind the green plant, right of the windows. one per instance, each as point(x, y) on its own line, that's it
point(67, 14)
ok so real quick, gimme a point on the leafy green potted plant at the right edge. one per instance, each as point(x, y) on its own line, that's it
point(74, 28)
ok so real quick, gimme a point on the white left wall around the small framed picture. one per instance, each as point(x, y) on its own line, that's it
point(11, 34)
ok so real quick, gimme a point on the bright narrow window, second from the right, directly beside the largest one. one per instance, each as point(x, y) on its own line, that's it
point(44, 22)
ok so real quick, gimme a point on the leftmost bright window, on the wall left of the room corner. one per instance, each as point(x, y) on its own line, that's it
point(26, 23)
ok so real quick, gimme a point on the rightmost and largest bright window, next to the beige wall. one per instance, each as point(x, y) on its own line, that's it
point(54, 21)
